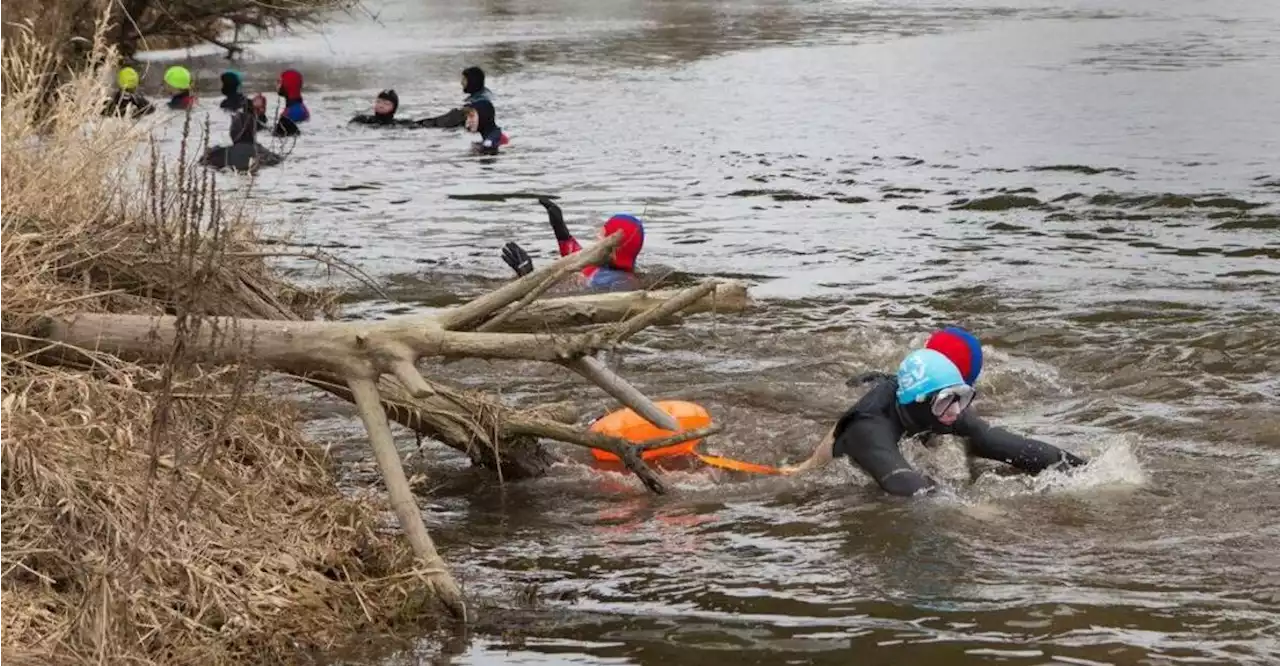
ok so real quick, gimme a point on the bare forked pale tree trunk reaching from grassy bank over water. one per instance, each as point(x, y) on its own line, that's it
point(360, 362)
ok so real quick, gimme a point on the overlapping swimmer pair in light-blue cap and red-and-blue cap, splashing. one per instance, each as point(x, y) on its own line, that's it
point(930, 396)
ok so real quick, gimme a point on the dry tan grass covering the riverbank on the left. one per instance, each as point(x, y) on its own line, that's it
point(170, 514)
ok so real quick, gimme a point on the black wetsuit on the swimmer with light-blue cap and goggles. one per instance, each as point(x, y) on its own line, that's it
point(870, 434)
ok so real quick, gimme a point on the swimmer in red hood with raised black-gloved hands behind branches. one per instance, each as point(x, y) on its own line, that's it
point(616, 275)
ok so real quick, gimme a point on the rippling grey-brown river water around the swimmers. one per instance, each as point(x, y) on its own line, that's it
point(1089, 185)
